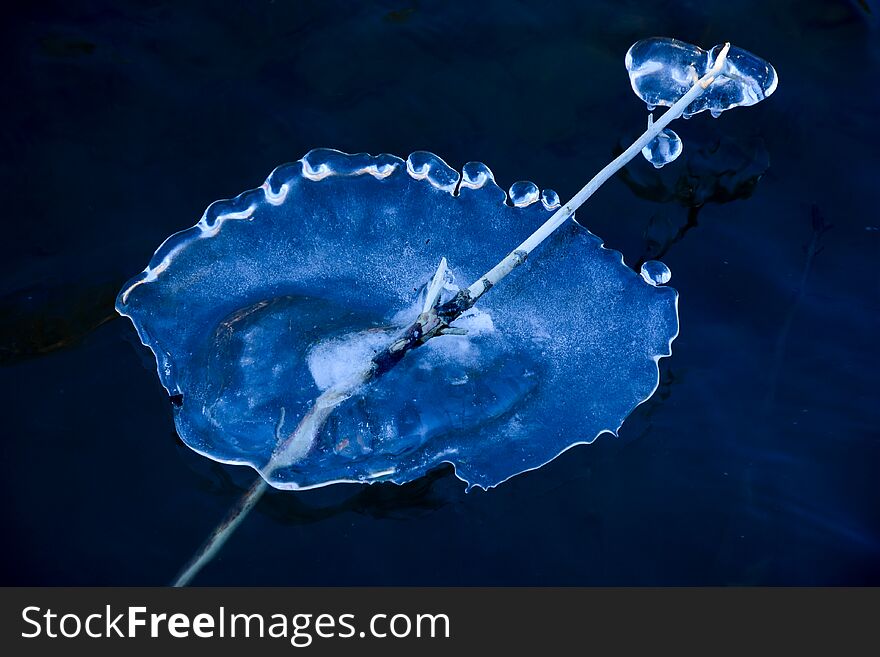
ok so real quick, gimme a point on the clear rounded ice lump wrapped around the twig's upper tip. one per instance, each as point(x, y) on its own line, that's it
point(661, 70)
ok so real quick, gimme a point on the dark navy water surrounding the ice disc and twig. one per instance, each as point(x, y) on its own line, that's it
point(755, 462)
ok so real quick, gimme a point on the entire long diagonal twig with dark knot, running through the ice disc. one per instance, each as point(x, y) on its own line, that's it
point(434, 320)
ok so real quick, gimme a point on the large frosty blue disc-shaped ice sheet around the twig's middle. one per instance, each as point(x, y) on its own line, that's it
point(289, 288)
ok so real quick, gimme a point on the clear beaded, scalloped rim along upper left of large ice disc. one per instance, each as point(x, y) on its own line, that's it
point(321, 163)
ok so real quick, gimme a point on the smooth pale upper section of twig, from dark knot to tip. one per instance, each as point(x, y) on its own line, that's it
point(520, 253)
